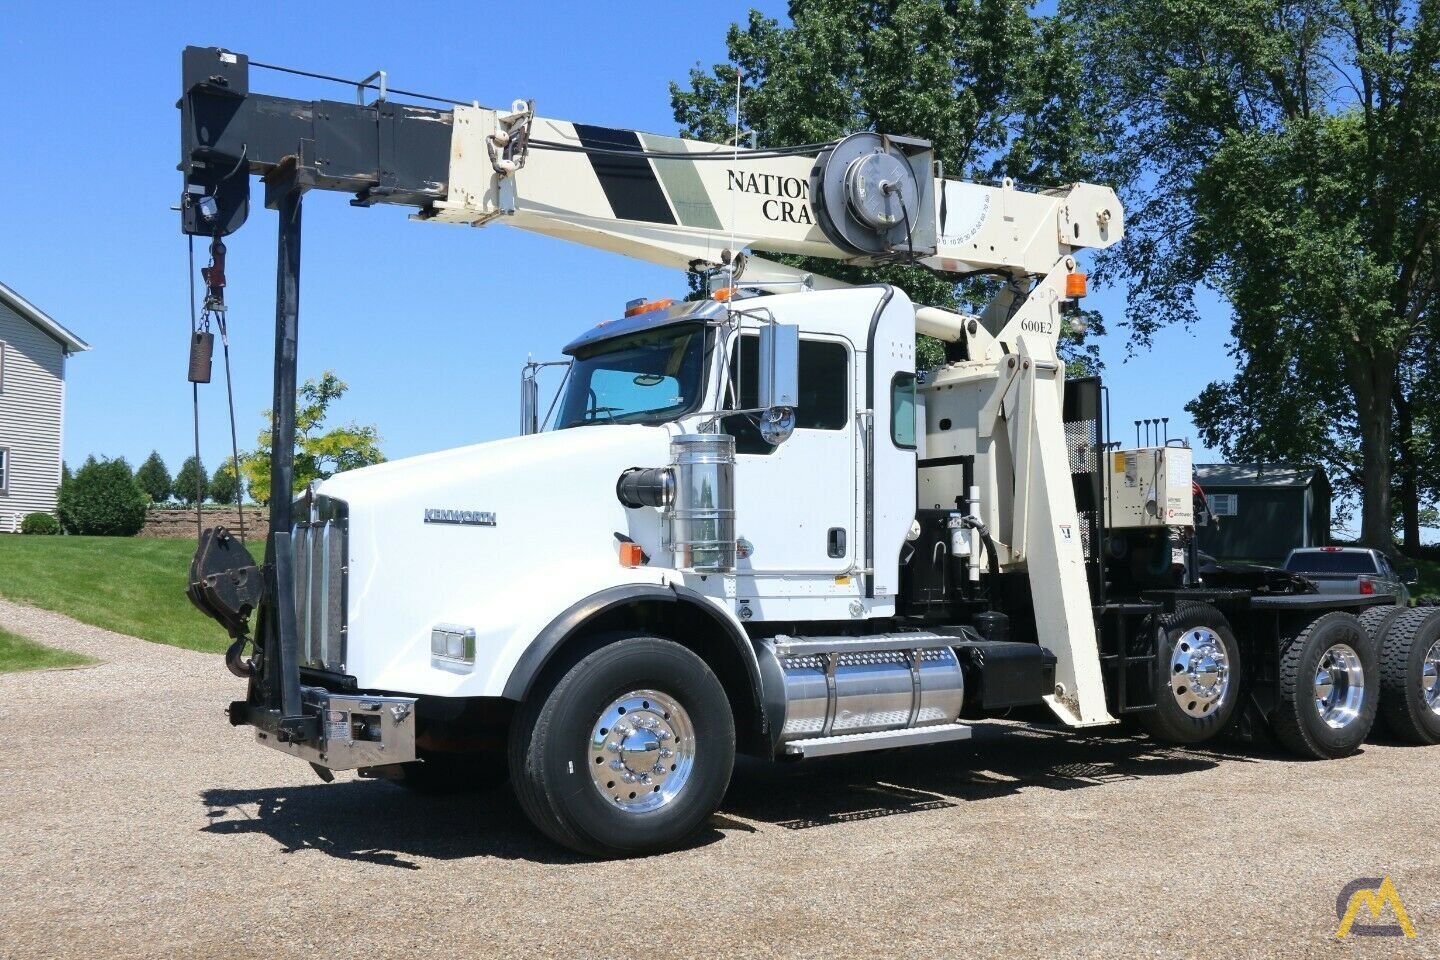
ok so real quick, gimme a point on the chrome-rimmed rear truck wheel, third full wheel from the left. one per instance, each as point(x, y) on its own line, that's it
point(1330, 689)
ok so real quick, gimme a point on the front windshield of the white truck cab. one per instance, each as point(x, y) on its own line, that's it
point(649, 378)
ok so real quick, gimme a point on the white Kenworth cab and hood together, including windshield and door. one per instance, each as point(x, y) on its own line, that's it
point(496, 542)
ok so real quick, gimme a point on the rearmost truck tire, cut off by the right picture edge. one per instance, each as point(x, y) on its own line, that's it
point(1410, 677)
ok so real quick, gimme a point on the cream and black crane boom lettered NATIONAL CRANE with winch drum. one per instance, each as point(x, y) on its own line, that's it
point(866, 199)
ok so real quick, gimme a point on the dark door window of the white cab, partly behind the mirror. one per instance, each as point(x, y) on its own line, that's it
point(824, 391)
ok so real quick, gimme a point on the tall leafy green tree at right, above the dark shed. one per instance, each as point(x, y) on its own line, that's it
point(1284, 156)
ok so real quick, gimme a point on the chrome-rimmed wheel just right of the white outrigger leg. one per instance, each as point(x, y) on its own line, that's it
point(1197, 683)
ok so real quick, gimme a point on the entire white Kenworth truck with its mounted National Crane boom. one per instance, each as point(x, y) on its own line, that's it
point(752, 525)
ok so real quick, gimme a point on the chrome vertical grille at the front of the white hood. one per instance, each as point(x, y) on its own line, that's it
point(320, 540)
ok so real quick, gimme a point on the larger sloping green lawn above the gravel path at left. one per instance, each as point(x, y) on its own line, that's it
point(126, 585)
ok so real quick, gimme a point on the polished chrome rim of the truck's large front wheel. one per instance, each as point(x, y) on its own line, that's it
point(643, 751)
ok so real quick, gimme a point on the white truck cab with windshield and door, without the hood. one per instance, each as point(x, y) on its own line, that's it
point(814, 512)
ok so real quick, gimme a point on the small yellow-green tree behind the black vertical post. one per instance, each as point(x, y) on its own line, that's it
point(319, 453)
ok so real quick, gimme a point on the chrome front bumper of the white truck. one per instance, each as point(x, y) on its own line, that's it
point(341, 732)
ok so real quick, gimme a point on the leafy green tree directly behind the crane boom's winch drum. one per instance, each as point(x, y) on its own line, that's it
point(991, 86)
